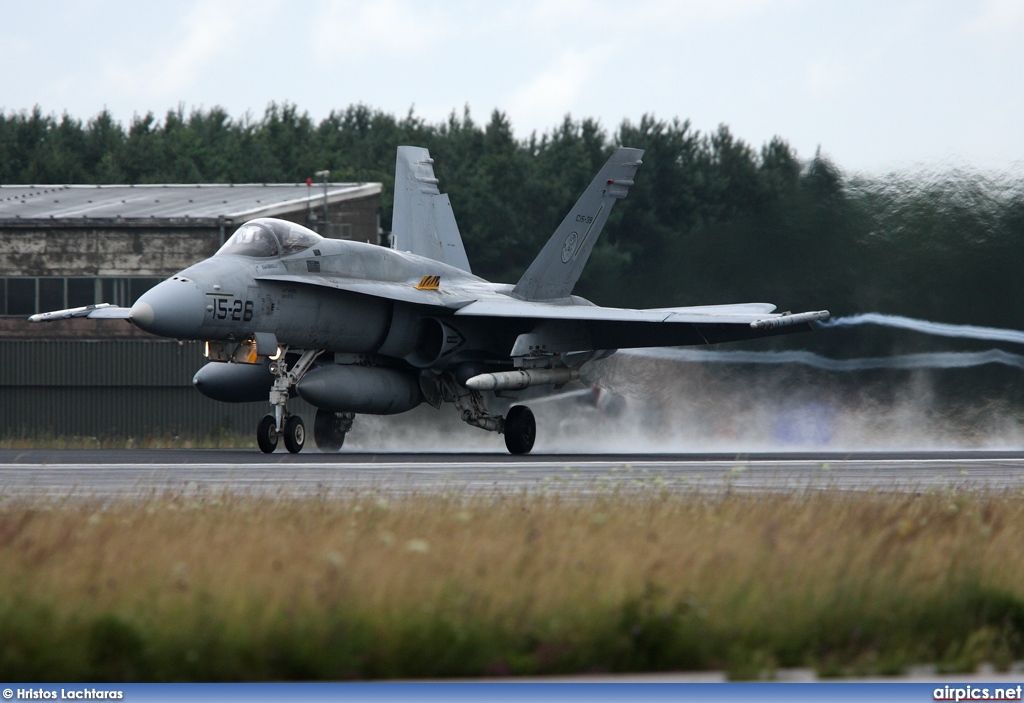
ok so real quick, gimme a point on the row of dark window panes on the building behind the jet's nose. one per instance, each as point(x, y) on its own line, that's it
point(24, 296)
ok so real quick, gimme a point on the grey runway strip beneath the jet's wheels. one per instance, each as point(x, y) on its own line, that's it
point(138, 474)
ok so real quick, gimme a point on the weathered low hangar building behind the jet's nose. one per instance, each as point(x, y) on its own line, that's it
point(65, 246)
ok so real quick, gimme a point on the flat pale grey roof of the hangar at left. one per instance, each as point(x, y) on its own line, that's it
point(173, 202)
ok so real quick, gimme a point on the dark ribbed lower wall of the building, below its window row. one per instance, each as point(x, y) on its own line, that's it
point(115, 389)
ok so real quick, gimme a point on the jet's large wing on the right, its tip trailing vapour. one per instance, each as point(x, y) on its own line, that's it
point(576, 328)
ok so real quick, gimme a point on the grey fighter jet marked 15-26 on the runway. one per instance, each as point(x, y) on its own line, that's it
point(354, 328)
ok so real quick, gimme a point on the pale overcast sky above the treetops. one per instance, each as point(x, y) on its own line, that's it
point(878, 85)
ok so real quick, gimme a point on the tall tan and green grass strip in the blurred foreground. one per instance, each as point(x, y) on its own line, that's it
point(238, 589)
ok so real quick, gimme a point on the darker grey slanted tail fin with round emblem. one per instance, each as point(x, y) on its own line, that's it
point(558, 269)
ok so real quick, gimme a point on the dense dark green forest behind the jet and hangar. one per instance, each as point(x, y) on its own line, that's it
point(711, 219)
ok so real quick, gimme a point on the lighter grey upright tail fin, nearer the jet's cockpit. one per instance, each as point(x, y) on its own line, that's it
point(422, 223)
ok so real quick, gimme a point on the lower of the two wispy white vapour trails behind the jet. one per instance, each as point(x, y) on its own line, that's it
point(928, 361)
